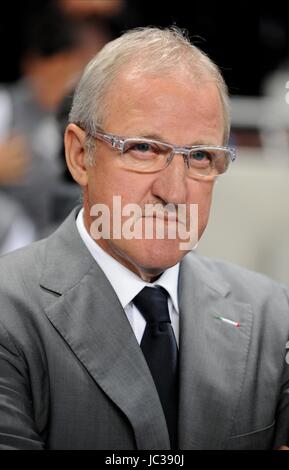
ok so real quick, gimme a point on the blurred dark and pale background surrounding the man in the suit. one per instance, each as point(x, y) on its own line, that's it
point(44, 48)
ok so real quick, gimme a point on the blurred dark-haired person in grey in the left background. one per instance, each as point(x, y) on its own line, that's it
point(50, 65)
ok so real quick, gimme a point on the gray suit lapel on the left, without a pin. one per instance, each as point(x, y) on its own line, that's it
point(91, 320)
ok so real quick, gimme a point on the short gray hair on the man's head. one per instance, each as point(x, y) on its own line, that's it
point(148, 49)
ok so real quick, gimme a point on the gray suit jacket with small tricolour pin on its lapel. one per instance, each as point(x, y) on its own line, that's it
point(72, 375)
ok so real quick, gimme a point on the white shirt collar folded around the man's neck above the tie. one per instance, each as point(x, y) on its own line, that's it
point(126, 283)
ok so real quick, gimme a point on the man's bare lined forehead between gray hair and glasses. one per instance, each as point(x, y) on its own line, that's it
point(174, 106)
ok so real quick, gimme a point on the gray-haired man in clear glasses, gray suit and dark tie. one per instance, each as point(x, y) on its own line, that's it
point(112, 338)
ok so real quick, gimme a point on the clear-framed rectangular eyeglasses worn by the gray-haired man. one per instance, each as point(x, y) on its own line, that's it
point(148, 156)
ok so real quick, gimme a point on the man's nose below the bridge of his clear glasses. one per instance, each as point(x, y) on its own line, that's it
point(171, 183)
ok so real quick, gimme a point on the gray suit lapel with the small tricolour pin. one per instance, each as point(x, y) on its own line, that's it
point(213, 357)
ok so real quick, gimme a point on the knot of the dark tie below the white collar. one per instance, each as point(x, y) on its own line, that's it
point(152, 302)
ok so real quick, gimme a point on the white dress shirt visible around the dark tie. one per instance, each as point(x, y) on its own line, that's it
point(127, 284)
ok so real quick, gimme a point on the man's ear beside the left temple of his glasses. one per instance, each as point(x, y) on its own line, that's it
point(74, 139)
